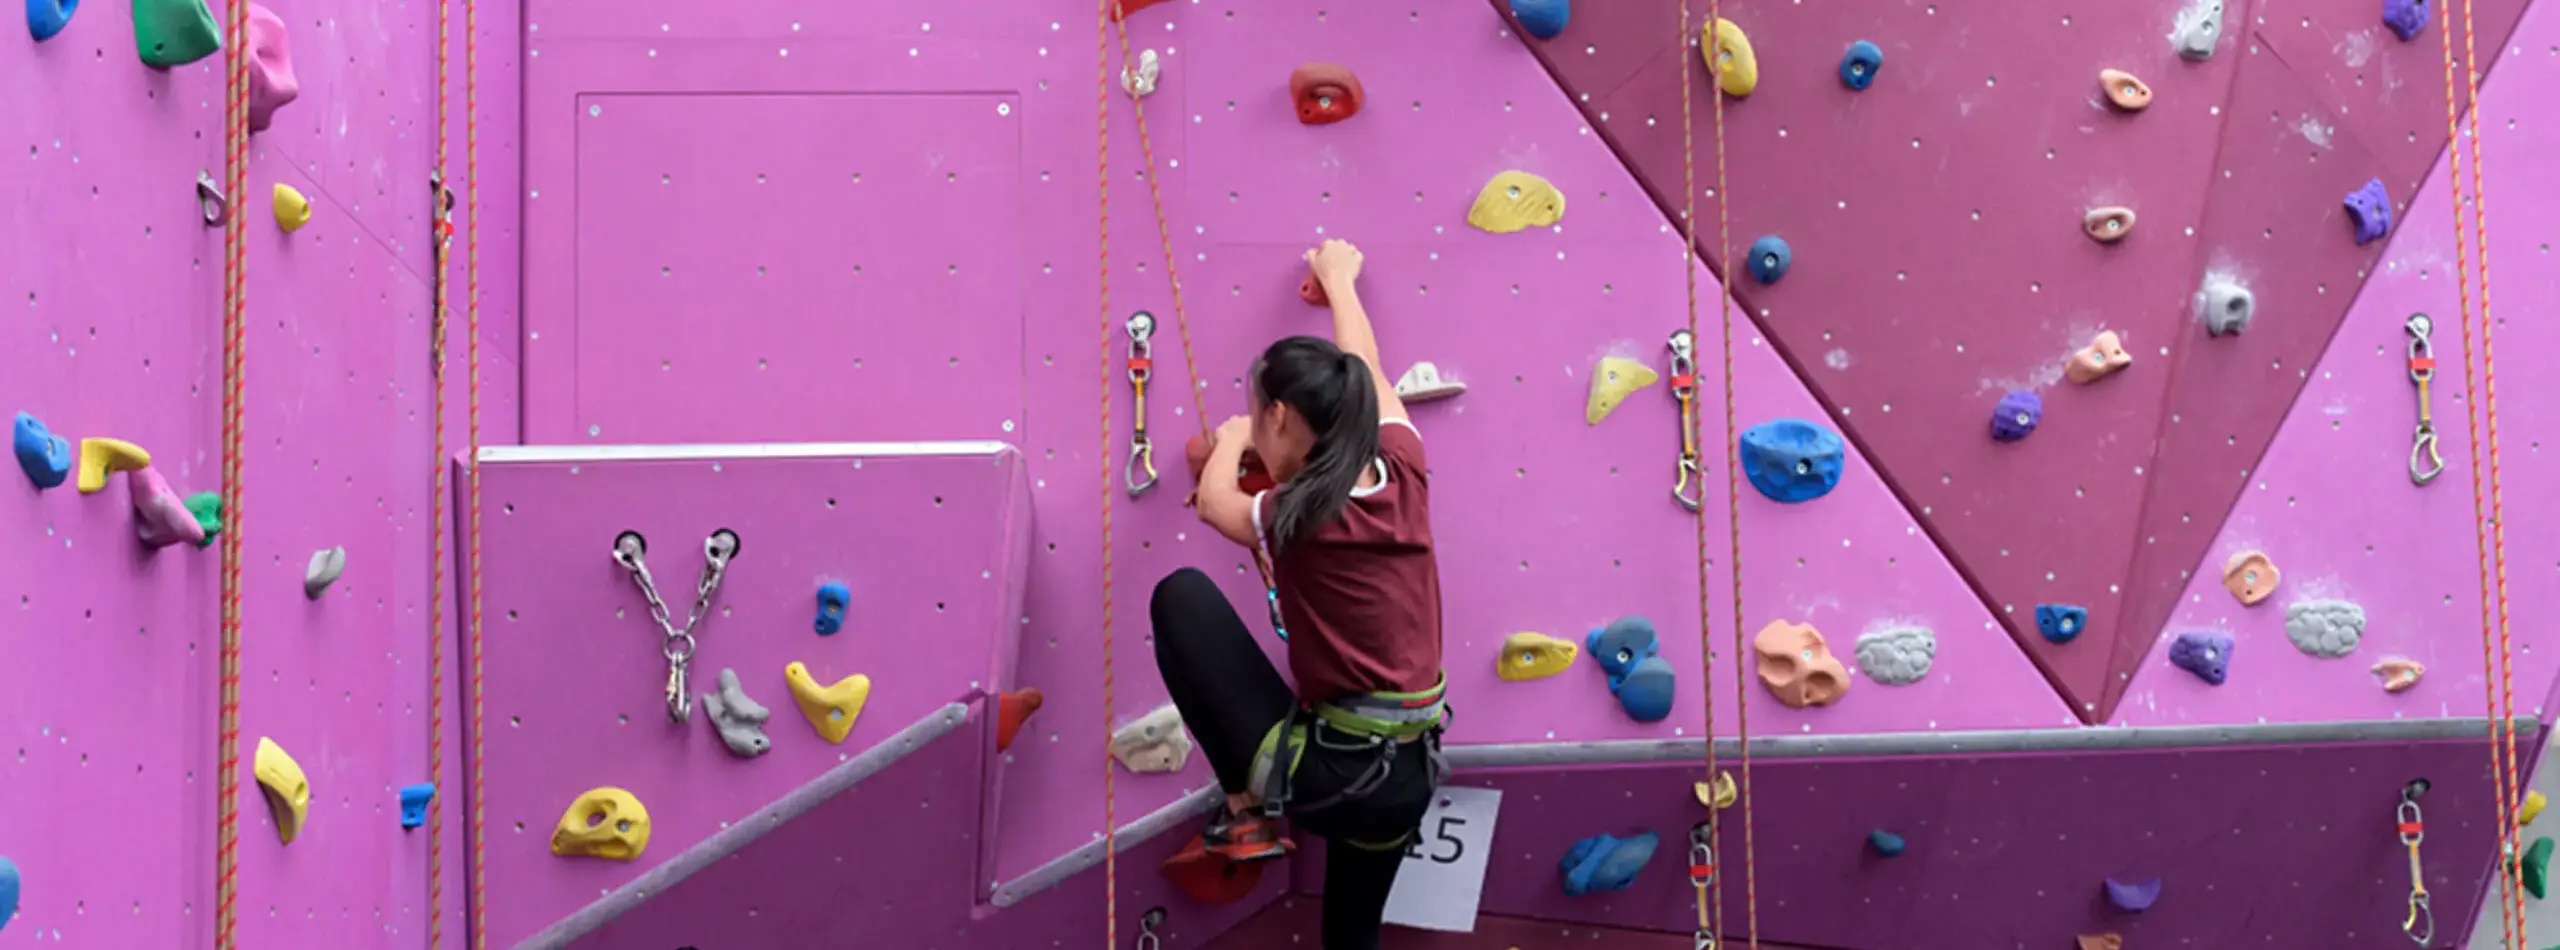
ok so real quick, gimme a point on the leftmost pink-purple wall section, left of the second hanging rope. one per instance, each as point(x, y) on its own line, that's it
point(114, 280)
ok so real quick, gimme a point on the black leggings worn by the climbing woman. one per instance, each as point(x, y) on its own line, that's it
point(1230, 698)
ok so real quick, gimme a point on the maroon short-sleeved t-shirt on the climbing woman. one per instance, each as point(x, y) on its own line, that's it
point(1361, 595)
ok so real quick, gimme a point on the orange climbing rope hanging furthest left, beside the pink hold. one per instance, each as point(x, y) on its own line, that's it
point(234, 442)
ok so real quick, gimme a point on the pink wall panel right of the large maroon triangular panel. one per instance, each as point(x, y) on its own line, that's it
point(2408, 554)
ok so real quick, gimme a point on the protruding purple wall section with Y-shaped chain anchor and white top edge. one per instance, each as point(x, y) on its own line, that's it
point(931, 542)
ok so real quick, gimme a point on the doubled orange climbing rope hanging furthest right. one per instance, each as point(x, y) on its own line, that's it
point(2490, 526)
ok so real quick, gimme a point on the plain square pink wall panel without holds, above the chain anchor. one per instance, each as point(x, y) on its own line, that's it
point(759, 268)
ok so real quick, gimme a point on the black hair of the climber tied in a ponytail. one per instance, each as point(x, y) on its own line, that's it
point(1338, 398)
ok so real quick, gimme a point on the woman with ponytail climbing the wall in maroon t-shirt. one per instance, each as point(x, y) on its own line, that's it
point(1348, 534)
